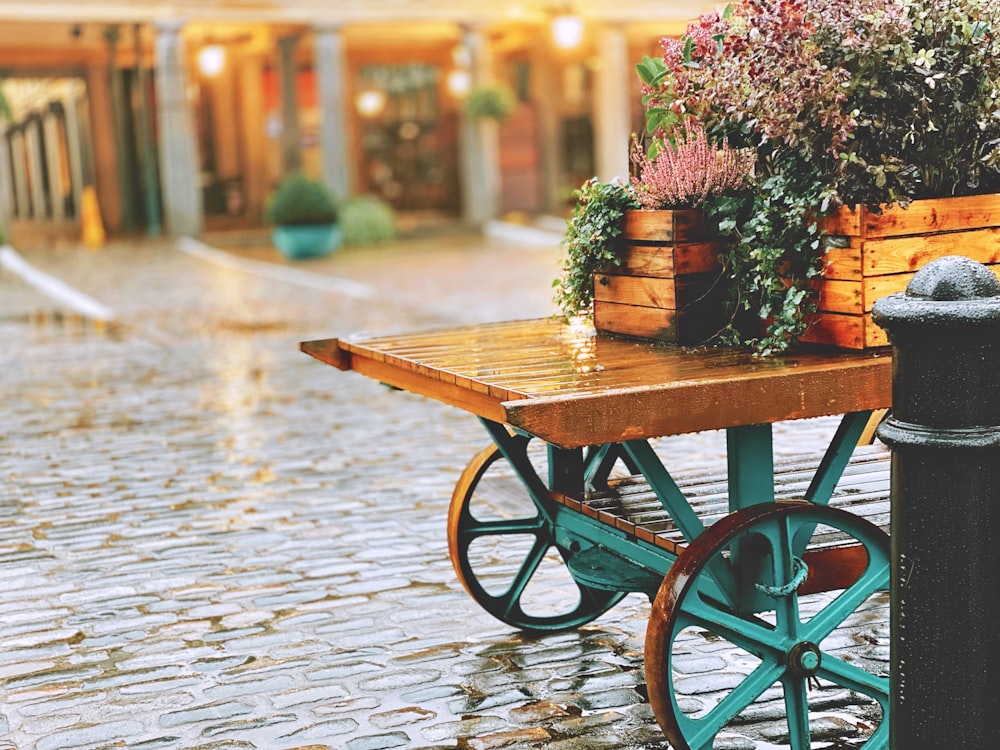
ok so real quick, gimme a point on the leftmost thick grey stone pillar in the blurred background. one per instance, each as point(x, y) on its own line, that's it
point(183, 211)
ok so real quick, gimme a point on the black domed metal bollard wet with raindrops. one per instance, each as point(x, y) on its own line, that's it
point(944, 433)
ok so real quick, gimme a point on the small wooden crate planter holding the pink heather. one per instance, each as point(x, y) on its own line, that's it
point(668, 287)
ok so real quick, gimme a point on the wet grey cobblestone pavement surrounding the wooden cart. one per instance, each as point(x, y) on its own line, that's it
point(210, 540)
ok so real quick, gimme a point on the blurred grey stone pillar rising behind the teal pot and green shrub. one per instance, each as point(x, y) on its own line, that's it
point(334, 119)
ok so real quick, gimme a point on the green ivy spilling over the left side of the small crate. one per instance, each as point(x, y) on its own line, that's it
point(591, 242)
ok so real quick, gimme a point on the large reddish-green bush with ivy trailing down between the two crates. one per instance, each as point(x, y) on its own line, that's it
point(846, 102)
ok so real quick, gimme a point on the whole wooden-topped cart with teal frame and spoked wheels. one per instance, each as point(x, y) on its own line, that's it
point(775, 559)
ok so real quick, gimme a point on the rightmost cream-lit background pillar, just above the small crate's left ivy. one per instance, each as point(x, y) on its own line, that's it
point(612, 121)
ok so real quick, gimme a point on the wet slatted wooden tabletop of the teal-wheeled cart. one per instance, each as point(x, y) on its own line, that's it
point(571, 387)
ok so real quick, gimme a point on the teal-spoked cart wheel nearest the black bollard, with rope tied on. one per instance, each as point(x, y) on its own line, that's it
point(774, 622)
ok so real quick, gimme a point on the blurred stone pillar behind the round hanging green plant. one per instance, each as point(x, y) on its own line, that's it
point(479, 141)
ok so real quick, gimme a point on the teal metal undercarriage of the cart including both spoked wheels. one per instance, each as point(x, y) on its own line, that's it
point(759, 572)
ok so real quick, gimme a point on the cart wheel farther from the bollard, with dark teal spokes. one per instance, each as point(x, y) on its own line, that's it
point(504, 552)
